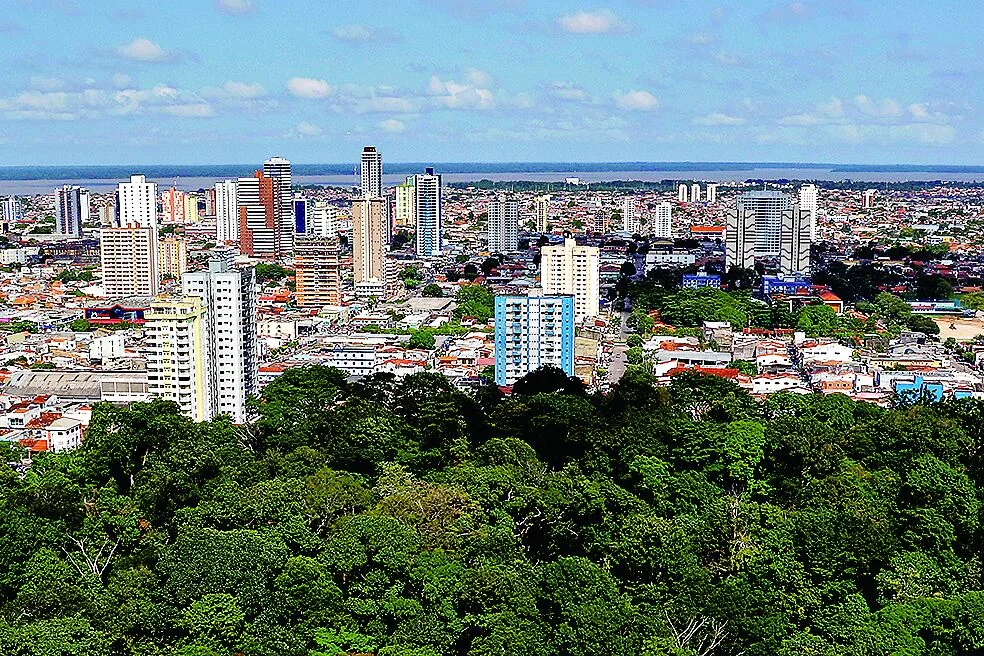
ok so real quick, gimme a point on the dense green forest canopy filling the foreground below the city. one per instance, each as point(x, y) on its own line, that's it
point(406, 518)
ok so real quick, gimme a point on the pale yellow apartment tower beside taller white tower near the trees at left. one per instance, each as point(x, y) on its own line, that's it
point(178, 359)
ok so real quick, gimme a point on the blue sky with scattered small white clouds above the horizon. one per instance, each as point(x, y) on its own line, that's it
point(220, 81)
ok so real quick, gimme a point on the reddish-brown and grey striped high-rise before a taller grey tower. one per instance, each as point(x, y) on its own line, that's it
point(258, 199)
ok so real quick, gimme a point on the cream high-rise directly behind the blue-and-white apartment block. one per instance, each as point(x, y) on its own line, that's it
point(571, 269)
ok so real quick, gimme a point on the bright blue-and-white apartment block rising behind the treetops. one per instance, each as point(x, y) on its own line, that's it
point(531, 332)
